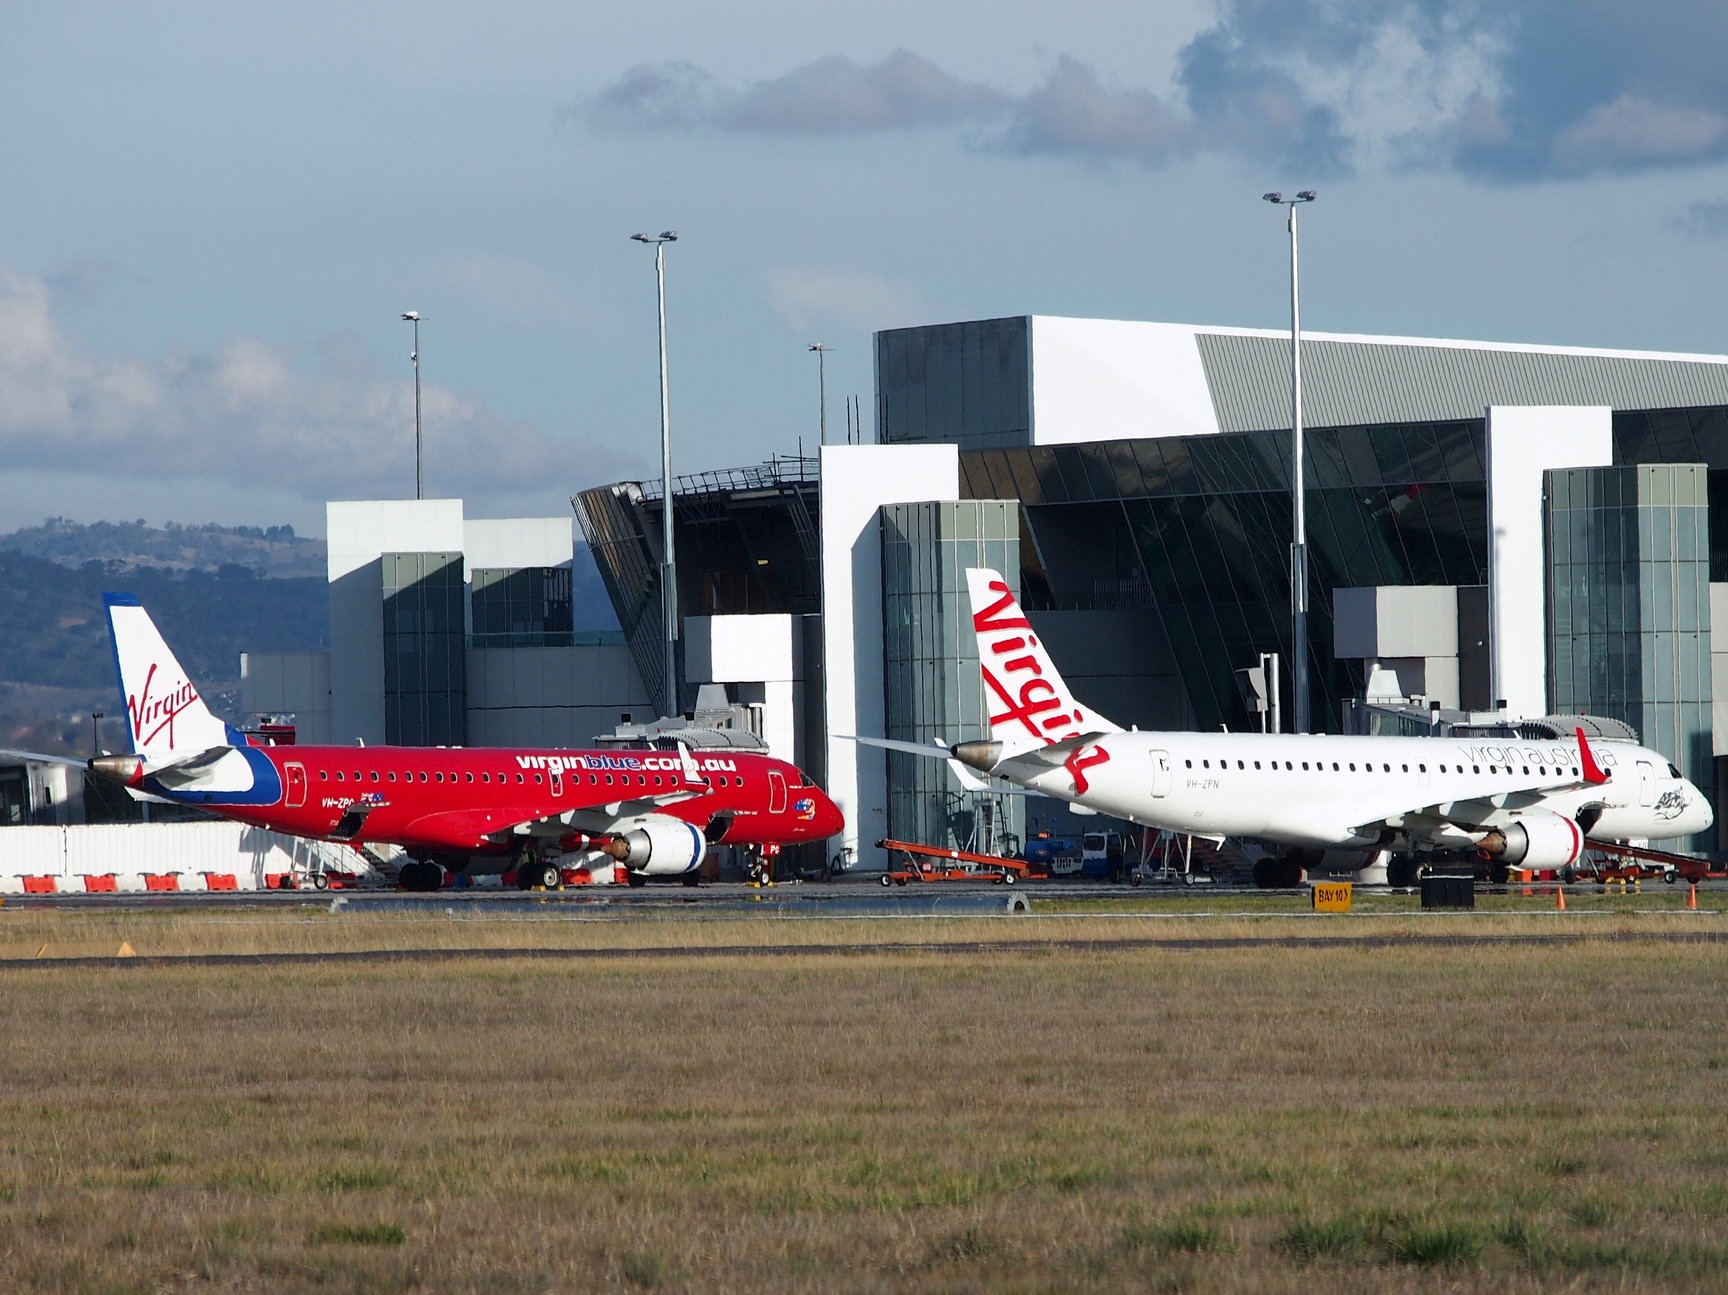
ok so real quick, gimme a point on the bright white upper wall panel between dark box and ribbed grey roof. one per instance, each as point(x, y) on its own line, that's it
point(1117, 381)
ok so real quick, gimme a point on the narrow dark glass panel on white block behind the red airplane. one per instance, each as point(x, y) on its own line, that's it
point(426, 684)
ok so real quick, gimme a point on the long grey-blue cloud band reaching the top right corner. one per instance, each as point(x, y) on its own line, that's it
point(1321, 87)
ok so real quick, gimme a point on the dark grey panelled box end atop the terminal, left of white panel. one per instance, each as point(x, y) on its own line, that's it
point(967, 385)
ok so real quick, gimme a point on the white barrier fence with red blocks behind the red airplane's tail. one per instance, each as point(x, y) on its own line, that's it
point(158, 857)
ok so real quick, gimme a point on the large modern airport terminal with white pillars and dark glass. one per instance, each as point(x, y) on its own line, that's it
point(1496, 533)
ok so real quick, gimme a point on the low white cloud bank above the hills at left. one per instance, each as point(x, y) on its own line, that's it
point(248, 414)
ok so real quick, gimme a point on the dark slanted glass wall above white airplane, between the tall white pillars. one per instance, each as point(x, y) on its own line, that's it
point(1200, 528)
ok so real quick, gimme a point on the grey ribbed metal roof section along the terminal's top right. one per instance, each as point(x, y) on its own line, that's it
point(1373, 381)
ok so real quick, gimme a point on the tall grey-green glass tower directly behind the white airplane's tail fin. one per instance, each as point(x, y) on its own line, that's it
point(931, 665)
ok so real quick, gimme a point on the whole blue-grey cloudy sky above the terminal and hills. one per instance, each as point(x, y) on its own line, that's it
point(215, 212)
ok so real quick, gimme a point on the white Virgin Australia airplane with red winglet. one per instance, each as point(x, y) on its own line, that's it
point(1345, 801)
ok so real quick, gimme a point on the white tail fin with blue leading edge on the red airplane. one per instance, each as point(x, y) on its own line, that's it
point(165, 715)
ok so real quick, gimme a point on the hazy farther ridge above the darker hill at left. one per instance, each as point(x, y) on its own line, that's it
point(274, 552)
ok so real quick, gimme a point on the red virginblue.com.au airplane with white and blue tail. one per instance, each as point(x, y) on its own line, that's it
point(454, 810)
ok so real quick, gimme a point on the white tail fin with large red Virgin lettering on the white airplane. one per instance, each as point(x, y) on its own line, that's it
point(1029, 703)
